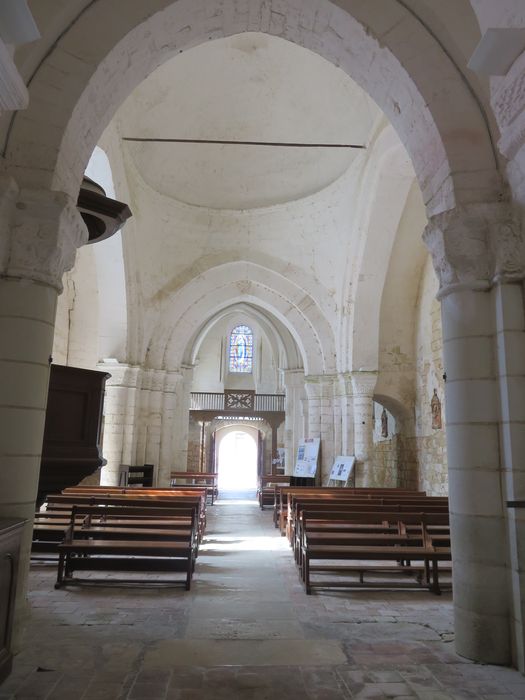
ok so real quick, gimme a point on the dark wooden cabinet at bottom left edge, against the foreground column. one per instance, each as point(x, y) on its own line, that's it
point(10, 536)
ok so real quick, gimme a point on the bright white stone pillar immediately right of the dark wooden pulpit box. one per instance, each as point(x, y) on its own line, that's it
point(119, 418)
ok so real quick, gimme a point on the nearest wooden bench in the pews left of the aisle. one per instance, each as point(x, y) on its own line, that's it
point(89, 547)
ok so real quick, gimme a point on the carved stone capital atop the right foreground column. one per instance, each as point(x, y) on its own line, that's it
point(475, 246)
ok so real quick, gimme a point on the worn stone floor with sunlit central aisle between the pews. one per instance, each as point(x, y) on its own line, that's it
point(246, 630)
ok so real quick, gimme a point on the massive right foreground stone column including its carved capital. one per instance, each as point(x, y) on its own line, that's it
point(476, 250)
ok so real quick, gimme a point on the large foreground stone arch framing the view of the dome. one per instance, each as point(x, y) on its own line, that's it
point(382, 45)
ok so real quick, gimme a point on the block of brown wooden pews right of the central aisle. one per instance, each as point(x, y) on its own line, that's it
point(338, 534)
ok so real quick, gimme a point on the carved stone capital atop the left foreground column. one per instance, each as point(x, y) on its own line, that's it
point(42, 231)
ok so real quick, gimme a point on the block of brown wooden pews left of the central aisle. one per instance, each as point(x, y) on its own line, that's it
point(119, 529)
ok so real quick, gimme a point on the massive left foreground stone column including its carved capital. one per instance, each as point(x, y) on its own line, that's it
point(40, 234)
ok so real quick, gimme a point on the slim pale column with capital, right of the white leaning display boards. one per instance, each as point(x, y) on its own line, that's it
point(363, 385)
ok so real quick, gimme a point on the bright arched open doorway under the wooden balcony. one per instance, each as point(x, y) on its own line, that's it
point(237, 465)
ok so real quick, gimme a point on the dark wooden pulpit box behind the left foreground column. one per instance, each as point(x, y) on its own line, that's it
point(72, 435)
